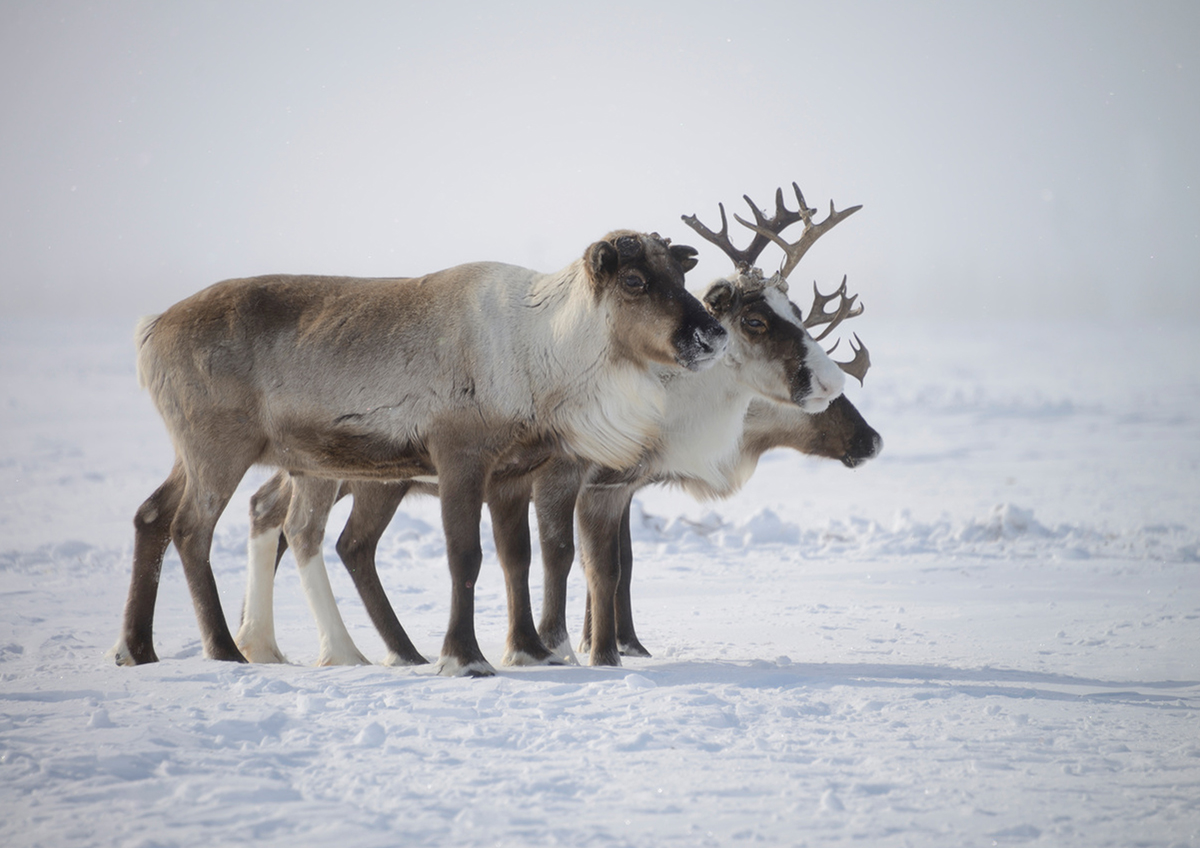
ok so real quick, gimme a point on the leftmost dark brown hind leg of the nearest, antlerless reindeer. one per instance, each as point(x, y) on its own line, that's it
point(152, 528)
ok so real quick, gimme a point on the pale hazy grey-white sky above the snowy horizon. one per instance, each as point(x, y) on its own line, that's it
point(1013, 159)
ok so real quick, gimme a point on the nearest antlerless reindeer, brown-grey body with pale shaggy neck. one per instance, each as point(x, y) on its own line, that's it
point(459, 375)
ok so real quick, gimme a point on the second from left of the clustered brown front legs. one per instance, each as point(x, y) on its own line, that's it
point(509, 506)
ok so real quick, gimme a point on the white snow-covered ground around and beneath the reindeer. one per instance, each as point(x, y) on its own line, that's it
point(991, 635)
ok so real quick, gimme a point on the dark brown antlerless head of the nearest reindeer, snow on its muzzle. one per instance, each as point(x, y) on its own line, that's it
point(640, 278)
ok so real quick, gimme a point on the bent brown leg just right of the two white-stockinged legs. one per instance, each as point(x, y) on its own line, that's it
point(375, 504)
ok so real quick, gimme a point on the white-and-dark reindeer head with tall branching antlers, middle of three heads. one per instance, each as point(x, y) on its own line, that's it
point(770, 338)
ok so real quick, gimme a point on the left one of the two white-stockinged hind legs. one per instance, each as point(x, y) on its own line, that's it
point(268, 512)
